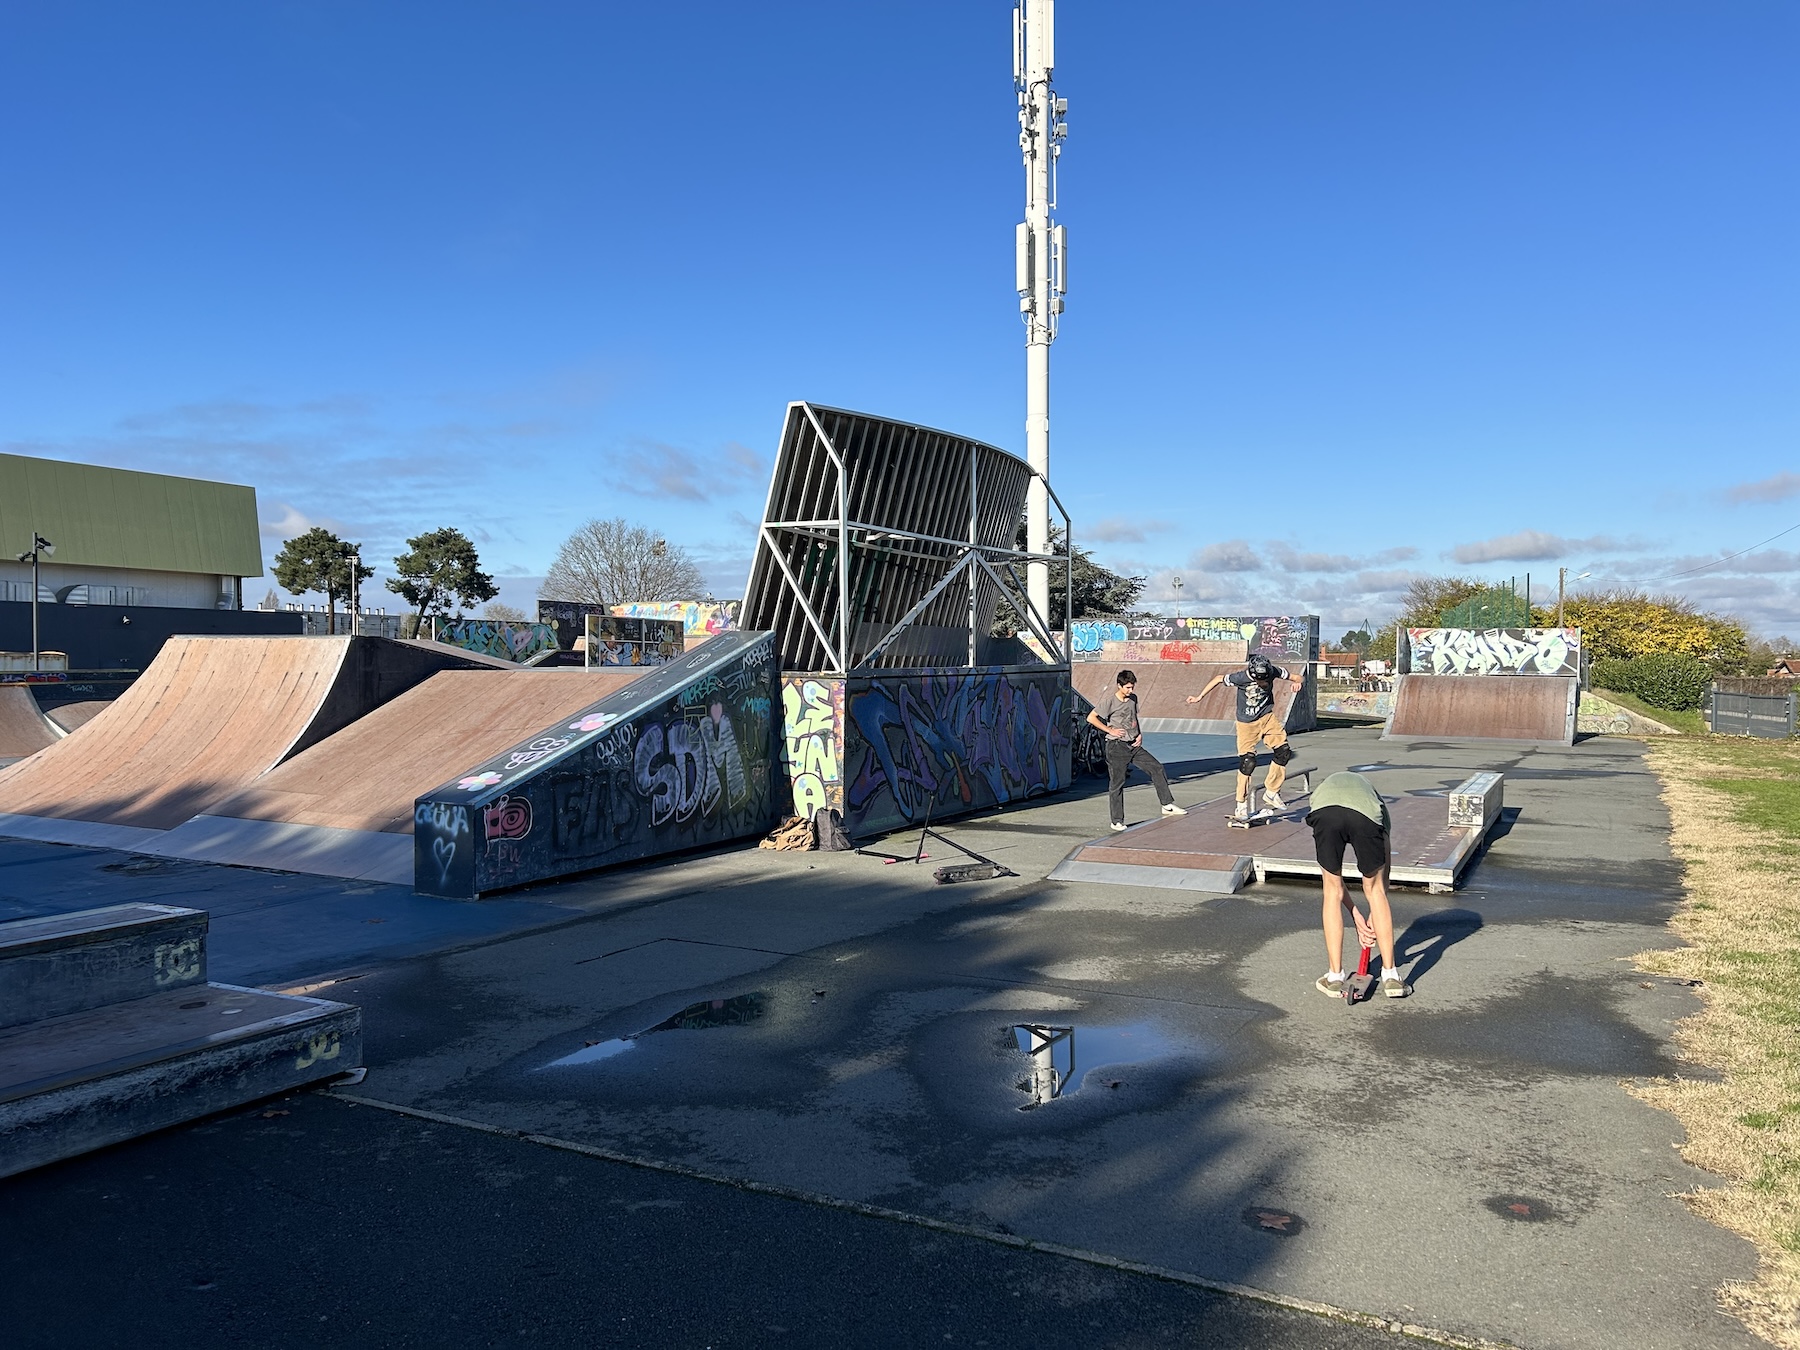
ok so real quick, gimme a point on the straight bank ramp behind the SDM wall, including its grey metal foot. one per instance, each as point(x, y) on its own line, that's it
point(345, 807)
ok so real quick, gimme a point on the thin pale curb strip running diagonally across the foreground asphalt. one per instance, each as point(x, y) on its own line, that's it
point(1367, 1320)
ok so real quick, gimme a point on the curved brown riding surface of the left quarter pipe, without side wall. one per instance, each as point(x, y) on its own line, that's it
point(208, 717)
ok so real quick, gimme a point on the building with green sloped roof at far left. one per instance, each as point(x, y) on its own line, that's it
point(148, 541)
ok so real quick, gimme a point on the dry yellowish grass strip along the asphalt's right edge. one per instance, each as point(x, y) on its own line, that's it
point(1736, 814)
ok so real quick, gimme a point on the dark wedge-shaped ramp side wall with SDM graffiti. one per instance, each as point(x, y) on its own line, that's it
point(681, 759)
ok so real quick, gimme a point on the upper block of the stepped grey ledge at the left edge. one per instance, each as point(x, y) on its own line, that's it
point(67, 964)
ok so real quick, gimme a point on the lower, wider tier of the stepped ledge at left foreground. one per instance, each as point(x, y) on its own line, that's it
point(98, 1077)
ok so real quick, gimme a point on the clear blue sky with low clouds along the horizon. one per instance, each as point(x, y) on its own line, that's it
point(1358, 291)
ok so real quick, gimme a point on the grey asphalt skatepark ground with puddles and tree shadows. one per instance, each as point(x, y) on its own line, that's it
point(1464, 1160)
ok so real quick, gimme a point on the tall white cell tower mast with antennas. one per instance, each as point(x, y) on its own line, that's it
point(1039, 260)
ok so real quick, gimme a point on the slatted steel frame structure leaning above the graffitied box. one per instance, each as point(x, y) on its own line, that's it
point(868, 505)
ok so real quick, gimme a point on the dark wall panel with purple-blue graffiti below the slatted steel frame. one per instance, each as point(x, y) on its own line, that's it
point(953, 741)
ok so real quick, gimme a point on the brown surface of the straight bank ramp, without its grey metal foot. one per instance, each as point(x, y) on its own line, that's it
point(370, 775)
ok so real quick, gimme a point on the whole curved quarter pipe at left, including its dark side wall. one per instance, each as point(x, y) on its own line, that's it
point(199, 726)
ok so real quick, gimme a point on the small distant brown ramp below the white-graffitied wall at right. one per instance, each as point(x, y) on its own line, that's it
point(1522, 710)
